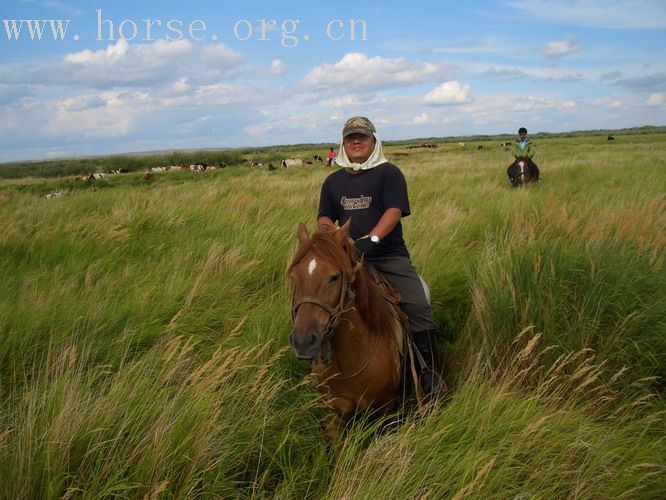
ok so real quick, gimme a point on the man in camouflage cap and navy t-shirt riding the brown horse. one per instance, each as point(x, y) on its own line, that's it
point(373, 193)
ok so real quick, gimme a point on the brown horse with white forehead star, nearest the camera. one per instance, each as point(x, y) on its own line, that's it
point(349, 327)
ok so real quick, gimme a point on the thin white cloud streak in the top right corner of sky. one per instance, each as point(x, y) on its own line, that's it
point(613, 14)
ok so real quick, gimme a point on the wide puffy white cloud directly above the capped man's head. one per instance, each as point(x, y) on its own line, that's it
point(358, 71)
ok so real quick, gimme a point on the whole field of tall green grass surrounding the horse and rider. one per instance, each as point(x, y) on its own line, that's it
point(143, 325)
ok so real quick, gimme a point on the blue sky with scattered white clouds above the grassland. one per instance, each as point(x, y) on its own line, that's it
point(230, 74)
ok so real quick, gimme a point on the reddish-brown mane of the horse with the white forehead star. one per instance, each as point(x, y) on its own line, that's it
point(371, 301)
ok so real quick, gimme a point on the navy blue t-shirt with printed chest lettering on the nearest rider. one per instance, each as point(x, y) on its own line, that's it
point(365, 196)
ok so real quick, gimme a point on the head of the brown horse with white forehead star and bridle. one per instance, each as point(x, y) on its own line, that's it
point(322, 272)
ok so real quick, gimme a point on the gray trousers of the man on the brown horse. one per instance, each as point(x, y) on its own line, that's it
point(402, 276)
